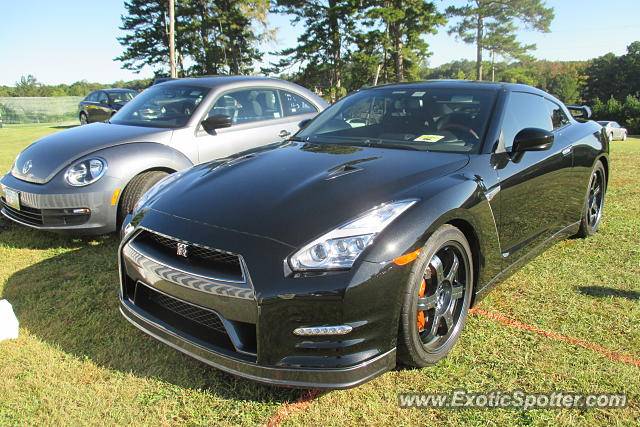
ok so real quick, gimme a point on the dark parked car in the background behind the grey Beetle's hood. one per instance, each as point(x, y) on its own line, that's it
point(101, 104)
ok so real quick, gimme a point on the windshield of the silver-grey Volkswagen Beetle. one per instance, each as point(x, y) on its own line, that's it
point(164, 106)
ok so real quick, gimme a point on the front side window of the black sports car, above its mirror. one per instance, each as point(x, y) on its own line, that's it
point(524, 110)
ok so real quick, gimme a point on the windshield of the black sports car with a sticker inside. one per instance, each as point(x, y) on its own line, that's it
point(417, 118)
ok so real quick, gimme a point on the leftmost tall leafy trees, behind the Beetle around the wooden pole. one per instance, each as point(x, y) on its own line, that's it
point(215, 36)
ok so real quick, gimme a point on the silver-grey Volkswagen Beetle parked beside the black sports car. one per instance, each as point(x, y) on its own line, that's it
point(85, 180)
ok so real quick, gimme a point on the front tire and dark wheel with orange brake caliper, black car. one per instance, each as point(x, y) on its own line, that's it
point(446, 296)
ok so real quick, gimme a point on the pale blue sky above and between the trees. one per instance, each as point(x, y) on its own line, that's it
point(64, 41)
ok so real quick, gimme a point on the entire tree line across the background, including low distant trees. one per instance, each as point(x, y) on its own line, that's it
point(347, 44)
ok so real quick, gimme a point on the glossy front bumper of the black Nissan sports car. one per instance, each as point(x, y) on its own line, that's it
point(260, 313)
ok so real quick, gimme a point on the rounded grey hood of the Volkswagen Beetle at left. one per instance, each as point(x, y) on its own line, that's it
point(48, 155)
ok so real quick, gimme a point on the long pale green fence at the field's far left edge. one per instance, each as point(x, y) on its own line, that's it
point(55, 109)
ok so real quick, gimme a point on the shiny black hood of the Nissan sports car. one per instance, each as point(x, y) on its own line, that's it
point(298, 191)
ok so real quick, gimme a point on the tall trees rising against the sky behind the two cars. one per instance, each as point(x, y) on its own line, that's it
point(344, 44)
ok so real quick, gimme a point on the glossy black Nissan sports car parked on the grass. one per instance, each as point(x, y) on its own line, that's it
point(323, 260)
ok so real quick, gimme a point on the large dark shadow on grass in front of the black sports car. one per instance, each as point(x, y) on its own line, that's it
point(70, 301)
